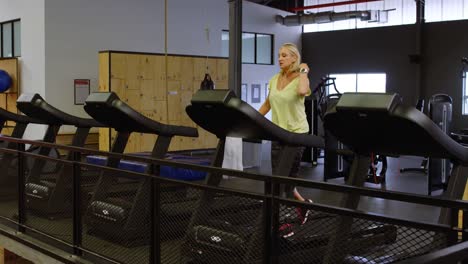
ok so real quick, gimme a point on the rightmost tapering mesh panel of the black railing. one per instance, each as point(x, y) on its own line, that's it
point(332, 238)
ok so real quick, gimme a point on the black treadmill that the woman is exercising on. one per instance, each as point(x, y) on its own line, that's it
point(213, 241)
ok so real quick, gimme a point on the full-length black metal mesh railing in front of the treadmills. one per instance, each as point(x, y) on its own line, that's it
point(196, 223)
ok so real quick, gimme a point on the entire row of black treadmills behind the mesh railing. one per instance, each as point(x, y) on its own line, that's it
point(367, 123)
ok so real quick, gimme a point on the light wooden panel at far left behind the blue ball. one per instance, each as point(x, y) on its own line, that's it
point(8, 98)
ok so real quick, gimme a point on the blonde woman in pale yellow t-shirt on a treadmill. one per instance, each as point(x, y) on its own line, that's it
point(287, 91)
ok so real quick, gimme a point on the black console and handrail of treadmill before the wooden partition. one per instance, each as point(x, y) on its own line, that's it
point(111, 105)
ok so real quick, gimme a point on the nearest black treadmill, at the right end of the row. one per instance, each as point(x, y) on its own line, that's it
point(380, 123)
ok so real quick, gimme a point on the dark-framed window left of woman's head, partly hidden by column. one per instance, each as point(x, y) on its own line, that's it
point(257, 48)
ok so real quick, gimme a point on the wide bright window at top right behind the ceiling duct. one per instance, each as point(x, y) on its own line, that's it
point(404, 13)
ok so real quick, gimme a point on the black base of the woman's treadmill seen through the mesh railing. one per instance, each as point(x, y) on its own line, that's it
point(225, 228)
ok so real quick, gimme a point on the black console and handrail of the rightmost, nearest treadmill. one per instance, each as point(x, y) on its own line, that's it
point(399, 130)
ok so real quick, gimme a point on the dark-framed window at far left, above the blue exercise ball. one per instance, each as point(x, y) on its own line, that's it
point(10, 39)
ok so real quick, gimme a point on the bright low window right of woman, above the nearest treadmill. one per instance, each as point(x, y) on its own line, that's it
point(360, 82)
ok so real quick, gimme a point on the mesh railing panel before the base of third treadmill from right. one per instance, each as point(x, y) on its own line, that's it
point(116, 220)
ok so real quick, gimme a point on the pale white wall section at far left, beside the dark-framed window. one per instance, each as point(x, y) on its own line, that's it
point(32, 61)
